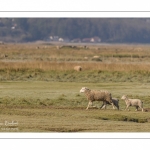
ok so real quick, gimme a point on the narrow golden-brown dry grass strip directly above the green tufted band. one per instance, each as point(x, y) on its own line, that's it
point(62, 66)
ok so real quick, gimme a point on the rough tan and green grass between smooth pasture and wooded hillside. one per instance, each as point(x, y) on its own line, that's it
point(44, 62)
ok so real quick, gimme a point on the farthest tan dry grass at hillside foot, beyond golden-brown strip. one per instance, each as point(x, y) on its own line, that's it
point(46, 51)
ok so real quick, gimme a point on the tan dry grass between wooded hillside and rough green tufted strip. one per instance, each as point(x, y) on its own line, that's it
point(48, 57)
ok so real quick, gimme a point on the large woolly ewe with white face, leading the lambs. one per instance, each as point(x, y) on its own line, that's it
point(97, 95)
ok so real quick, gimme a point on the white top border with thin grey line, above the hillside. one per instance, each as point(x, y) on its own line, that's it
point(74, 8)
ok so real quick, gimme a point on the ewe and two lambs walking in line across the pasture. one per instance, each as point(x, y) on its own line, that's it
point(106, 98)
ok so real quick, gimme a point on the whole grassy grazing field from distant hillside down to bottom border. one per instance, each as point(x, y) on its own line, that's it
point(39, 90)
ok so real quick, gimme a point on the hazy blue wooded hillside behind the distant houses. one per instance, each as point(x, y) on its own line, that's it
point(112, 30)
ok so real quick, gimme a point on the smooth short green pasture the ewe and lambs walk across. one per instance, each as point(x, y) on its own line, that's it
point(59, 107)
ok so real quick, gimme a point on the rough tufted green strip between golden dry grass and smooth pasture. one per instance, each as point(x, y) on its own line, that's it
point(73, 76)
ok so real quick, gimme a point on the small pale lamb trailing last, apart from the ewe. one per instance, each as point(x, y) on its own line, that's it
point(132, 102)
